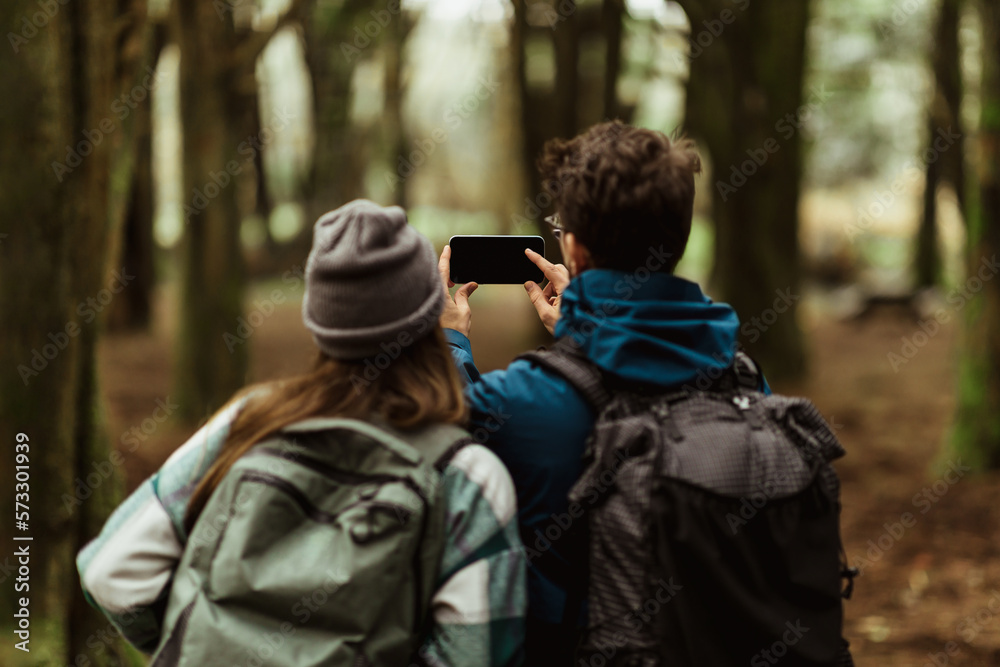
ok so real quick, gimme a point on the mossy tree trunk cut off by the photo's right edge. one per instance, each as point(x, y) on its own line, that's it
point(976, 435)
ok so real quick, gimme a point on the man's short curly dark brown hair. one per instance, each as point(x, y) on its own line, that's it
point(622, 190)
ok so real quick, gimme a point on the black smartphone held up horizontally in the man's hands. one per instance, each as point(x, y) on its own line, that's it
point(497, 259)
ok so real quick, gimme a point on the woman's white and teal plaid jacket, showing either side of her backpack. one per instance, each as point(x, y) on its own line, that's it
point(479, 606)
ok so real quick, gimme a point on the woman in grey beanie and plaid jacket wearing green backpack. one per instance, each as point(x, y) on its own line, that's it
point(372, 293)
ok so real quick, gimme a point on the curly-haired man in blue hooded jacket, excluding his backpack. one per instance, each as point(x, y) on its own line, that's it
point(623, 199)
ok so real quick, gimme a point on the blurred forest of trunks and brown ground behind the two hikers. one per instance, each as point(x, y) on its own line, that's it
point(163, 162)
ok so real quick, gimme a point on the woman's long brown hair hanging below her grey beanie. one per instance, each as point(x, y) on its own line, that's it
point(419, 387)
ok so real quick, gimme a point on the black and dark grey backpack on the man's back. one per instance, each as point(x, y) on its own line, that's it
point(714, 523)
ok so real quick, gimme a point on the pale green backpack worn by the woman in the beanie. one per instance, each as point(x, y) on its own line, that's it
point(320, 547)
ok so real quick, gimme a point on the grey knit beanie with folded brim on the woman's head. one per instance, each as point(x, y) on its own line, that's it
point(371, 280)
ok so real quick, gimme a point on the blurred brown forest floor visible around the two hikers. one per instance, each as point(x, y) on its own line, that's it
point(930, 588)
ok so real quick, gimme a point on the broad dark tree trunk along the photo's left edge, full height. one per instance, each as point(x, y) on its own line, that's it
point(68, 153)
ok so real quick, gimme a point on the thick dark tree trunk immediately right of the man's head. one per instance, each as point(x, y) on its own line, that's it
point(745, 105)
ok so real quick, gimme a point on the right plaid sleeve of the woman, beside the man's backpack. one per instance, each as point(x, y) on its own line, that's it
point(481, 601)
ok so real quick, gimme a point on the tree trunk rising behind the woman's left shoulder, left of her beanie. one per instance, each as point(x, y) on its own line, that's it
point(217, 82)
